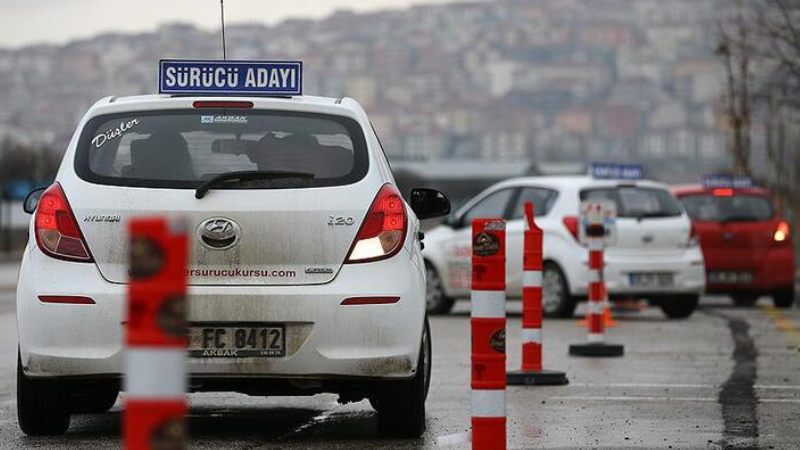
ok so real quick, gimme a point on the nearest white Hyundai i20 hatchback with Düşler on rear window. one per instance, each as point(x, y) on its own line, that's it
point(318, 244)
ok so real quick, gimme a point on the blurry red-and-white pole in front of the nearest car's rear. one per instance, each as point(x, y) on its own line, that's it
point(155, 366)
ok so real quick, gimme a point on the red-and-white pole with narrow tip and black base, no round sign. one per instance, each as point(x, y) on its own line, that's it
point(532, 372)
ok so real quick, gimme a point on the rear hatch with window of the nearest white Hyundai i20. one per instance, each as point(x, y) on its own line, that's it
point(291, 221)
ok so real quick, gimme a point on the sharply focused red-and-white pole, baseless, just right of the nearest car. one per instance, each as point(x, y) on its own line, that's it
point(488, 334)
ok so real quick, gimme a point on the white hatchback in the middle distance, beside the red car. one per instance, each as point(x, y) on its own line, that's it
point(656, 255)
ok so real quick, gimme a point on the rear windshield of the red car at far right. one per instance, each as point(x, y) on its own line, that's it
point(736, 208)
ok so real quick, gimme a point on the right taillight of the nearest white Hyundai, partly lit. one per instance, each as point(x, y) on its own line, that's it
point(384, 229)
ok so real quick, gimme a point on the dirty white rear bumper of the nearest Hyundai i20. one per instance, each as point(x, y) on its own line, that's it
point(325, 340)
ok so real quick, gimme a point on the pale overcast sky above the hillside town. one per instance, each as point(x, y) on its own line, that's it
point(25, 22)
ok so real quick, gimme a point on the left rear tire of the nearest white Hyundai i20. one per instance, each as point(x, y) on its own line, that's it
point(43, 407)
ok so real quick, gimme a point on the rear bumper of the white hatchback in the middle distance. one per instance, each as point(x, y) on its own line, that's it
point(686, 268)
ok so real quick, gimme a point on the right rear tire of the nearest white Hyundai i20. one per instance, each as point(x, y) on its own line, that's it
point(401, 404)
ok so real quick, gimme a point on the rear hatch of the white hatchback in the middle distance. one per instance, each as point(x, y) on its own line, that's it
point(649, 221)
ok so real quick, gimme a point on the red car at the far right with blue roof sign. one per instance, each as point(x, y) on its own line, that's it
point(746, 244)
